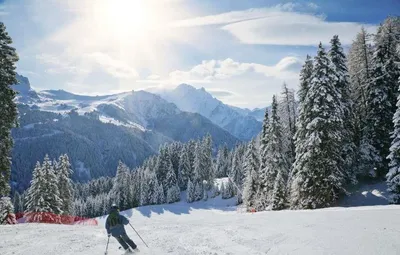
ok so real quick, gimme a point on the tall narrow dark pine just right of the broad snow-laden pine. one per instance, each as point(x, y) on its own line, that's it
point(338, 60)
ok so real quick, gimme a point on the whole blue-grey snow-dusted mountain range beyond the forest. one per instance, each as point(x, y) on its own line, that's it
point(98, 131)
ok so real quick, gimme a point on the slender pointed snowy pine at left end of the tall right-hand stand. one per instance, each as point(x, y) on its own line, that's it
point(276, 160)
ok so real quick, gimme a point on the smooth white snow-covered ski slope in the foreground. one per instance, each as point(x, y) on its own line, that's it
point(176, 229)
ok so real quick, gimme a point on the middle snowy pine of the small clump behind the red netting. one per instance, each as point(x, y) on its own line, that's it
point(52, 193)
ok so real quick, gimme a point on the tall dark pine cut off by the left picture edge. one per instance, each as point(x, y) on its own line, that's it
point(8, 108)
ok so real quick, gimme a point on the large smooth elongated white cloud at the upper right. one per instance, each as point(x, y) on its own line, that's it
point(289, 24)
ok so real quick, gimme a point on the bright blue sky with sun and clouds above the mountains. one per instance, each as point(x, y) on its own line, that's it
point(240, 51)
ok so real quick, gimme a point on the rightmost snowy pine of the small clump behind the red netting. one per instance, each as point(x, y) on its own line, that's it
point(64, 173)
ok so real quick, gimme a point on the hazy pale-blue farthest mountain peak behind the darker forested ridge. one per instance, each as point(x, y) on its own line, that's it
point(189, 99)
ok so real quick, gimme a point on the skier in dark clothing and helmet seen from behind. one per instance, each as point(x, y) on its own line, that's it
point(115, 226)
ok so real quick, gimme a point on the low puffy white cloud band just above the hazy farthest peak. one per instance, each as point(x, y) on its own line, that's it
point(210, 70)
